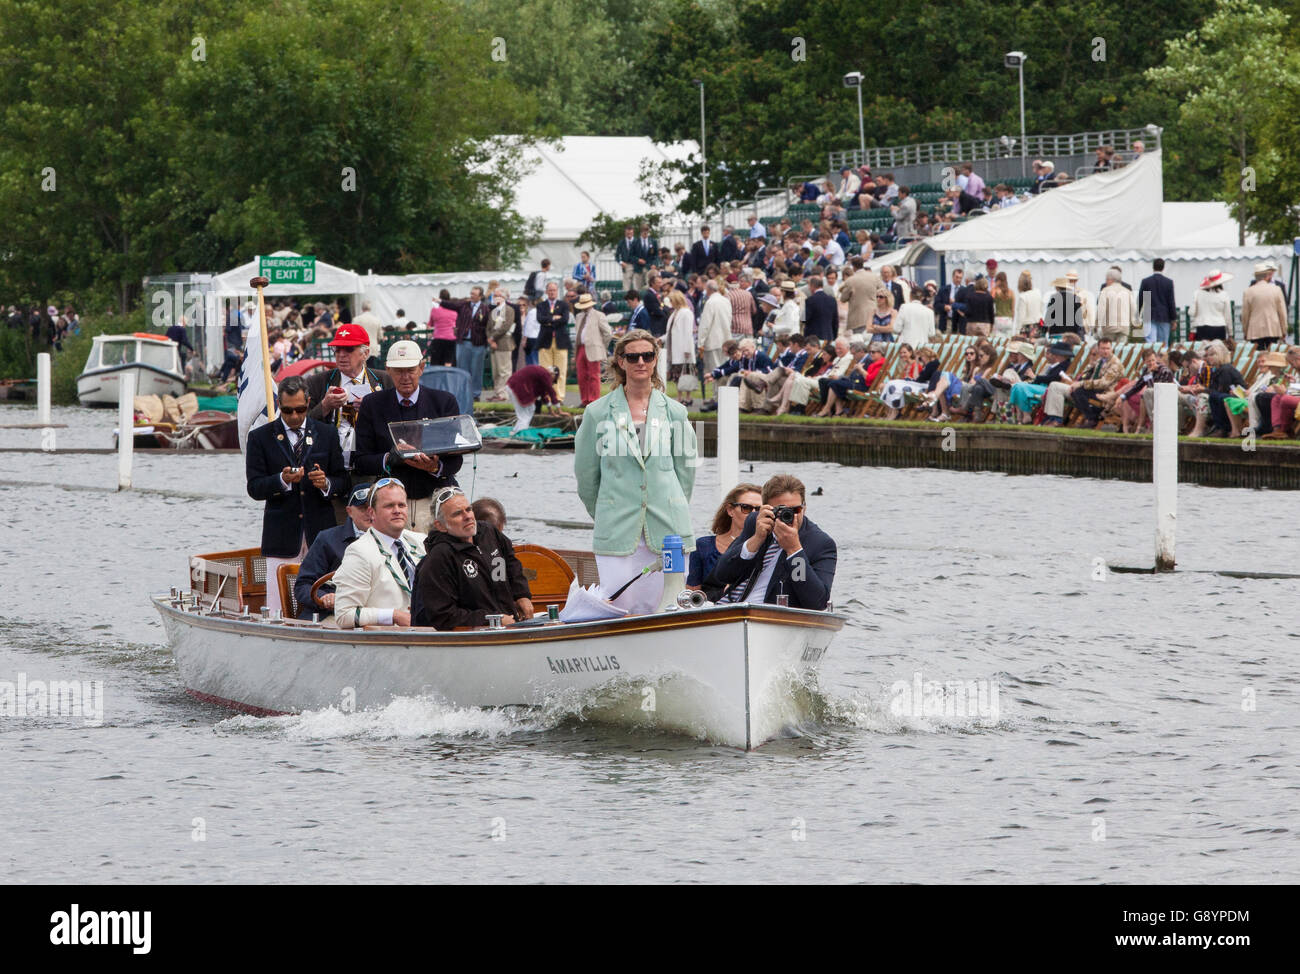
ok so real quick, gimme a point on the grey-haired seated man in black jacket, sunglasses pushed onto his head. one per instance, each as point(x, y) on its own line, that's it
point(469, 572)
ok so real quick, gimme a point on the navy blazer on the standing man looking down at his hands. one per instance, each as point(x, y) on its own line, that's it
point(304, 510)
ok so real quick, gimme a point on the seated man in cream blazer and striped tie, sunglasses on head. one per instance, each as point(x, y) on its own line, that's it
point(374, 583)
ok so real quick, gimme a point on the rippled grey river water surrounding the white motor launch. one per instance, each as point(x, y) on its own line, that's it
point(1145, 729)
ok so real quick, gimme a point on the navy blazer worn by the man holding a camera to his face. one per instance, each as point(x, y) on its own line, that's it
point(813, 587)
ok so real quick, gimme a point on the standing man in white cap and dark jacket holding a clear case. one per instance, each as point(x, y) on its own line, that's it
point(375, 456)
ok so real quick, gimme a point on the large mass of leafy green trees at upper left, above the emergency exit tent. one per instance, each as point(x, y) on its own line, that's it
point(128, 149)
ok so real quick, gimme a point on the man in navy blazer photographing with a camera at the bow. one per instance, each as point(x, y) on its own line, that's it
point(775, 559)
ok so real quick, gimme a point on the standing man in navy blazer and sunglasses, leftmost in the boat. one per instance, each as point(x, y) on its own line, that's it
point(294, 465)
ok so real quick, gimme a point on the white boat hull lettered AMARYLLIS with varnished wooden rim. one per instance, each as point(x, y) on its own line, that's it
point(733, 676)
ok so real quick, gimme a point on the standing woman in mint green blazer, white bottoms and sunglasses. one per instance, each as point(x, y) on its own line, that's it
point(635, 460)
